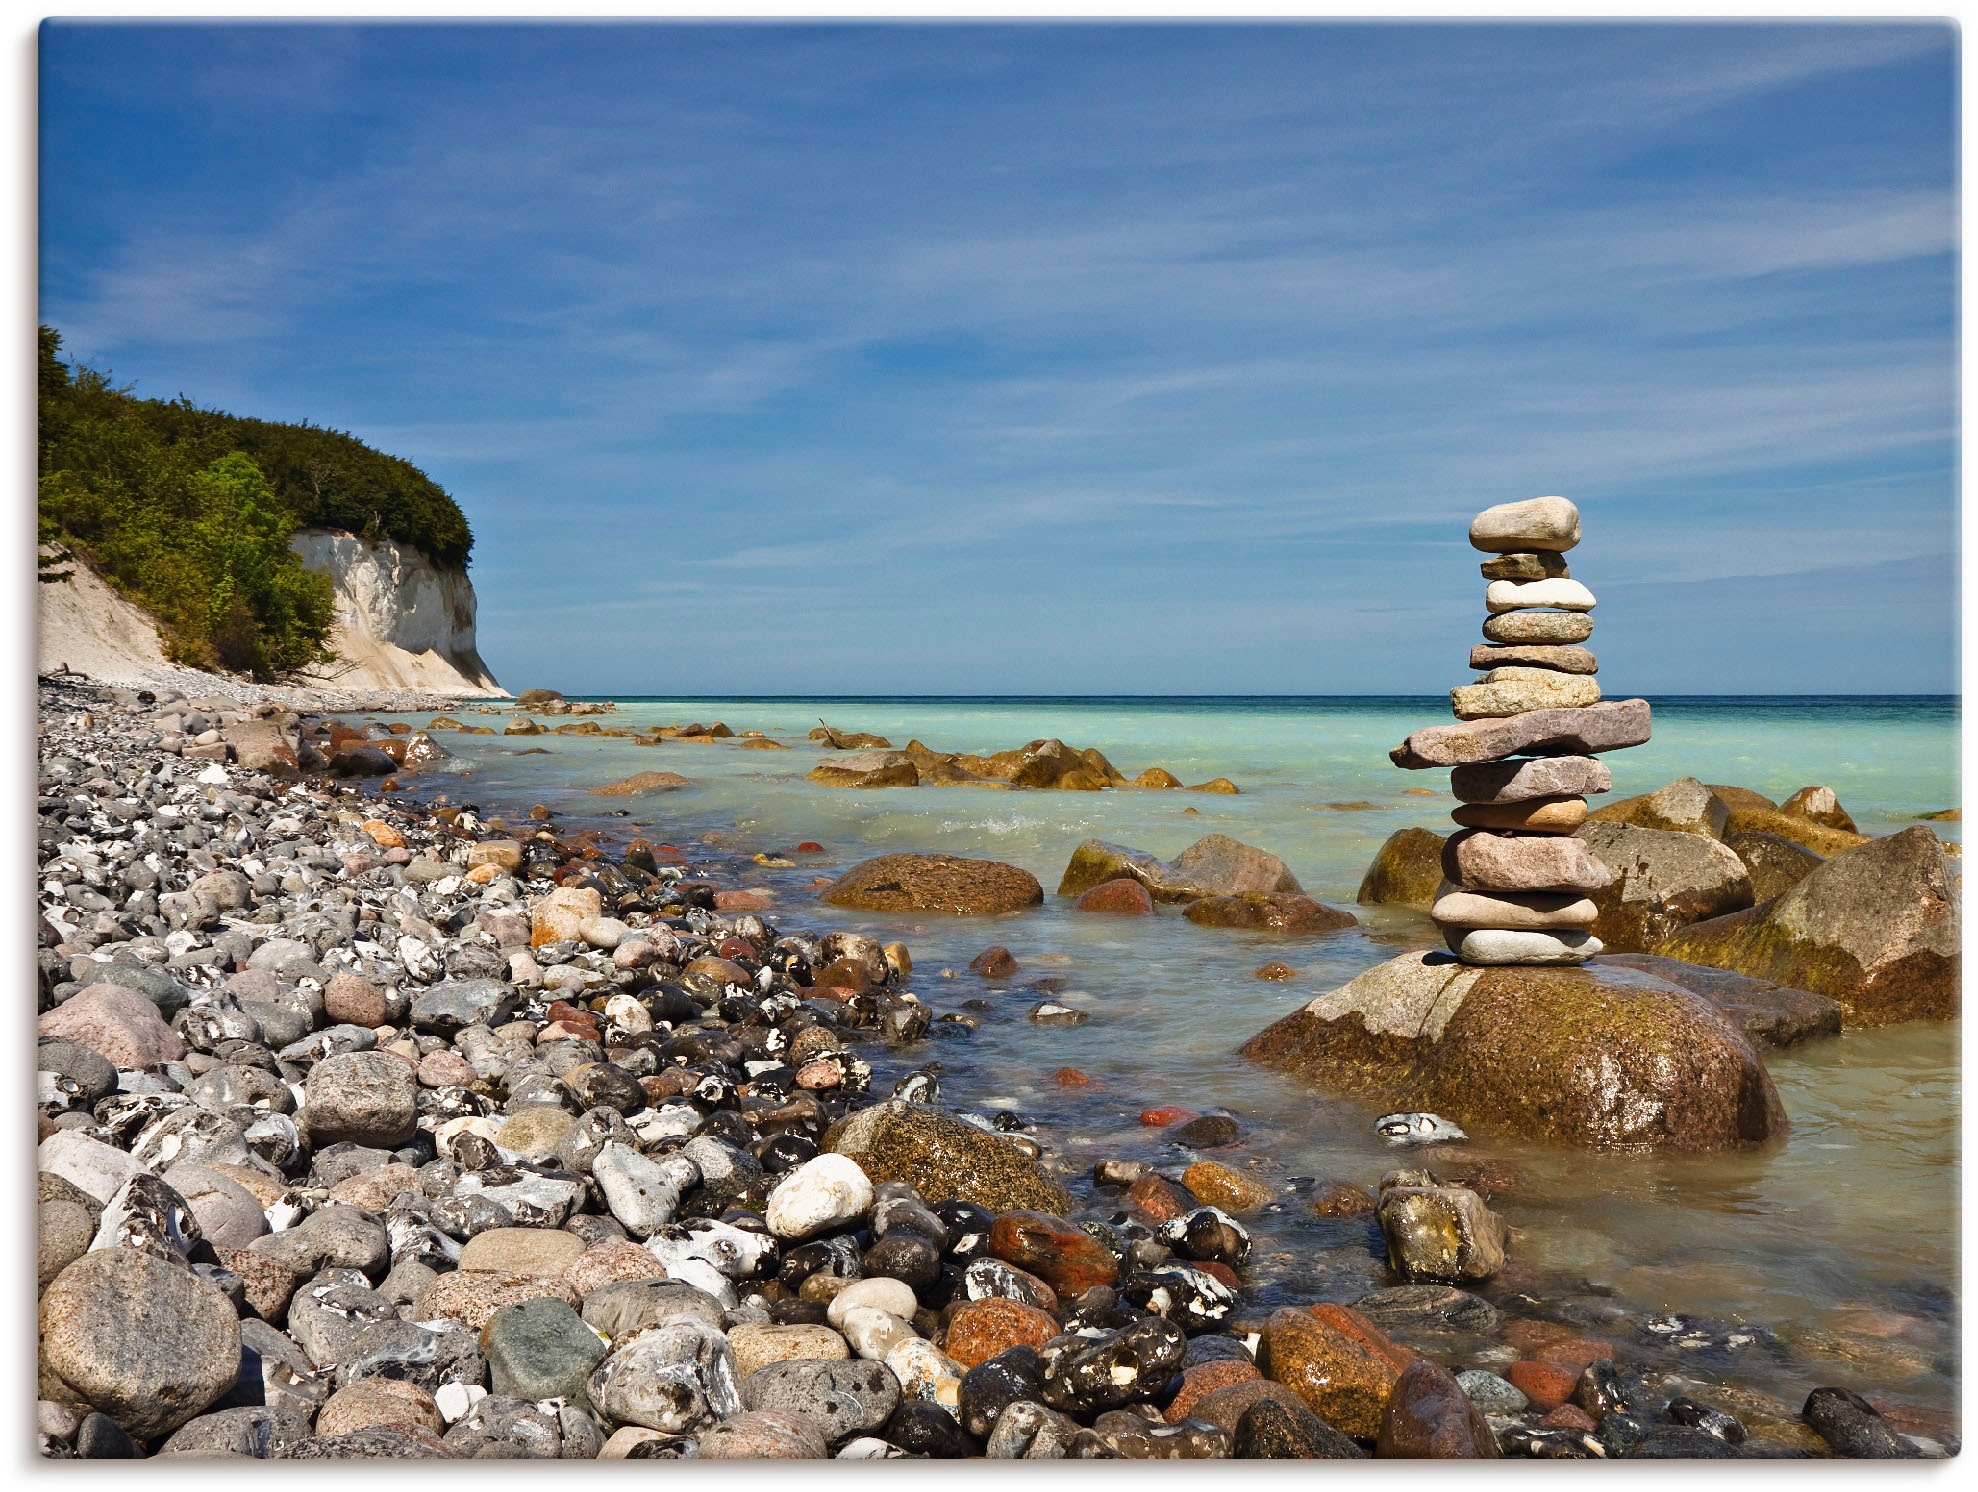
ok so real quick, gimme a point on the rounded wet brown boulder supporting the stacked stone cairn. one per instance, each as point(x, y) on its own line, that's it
point(1599, 1058)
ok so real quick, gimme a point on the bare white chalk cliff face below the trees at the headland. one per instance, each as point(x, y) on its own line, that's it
point(403, 622)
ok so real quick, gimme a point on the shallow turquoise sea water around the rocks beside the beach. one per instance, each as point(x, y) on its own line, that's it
point(1841, 1244)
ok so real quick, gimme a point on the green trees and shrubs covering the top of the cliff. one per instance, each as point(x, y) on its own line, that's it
point(189, 512)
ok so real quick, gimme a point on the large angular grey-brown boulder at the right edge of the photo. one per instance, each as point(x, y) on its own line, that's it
point(1874, 929)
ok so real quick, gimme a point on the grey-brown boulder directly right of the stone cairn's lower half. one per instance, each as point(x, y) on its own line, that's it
point(1664, 880)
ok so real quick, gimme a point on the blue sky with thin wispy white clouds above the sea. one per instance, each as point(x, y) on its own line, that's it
point(1047, 359)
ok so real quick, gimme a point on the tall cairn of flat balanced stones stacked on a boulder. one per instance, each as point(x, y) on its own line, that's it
point(1524, 753)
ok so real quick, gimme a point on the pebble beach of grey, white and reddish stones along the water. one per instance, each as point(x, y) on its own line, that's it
point(389, 1129)
